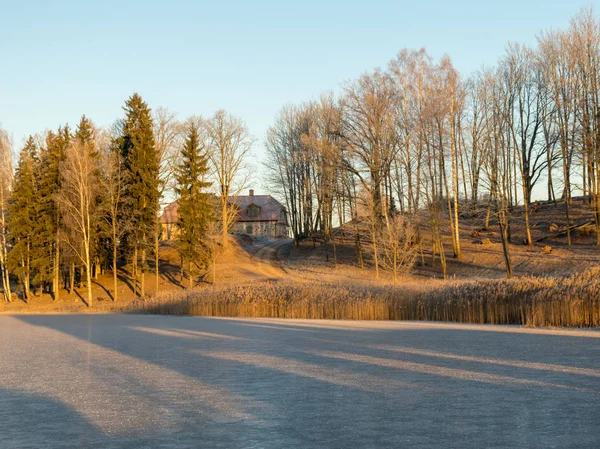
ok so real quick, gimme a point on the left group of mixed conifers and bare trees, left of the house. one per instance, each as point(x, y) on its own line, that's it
point(79, 202)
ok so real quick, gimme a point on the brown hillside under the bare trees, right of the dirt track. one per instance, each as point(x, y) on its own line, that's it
point(482, 248)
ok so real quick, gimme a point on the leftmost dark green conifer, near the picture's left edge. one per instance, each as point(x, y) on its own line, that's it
point(23, 217)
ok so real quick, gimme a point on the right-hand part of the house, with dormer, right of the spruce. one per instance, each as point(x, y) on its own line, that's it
point(260, 215)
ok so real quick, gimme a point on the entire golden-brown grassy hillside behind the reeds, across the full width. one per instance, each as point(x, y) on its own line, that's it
point(250, 260)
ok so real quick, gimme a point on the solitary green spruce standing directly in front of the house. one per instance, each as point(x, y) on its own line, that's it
point(194, 209)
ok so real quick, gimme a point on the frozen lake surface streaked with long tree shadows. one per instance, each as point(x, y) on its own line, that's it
point(126, 381)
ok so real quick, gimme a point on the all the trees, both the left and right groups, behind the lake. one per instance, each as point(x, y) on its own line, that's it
point(398, 152)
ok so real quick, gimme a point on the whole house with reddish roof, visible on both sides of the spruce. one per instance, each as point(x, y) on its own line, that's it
point(257, 215)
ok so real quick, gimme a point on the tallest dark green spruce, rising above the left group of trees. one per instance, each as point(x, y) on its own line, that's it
point(141, 165)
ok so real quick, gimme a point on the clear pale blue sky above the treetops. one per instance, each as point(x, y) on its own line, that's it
point(59, 60)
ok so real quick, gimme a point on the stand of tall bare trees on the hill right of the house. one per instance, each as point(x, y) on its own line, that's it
point(416, 139)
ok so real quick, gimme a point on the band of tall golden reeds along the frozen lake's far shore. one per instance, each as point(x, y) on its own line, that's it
point(529, 301)
